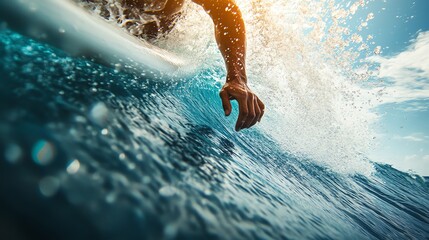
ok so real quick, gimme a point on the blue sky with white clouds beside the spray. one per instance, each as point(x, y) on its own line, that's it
point(401, 28)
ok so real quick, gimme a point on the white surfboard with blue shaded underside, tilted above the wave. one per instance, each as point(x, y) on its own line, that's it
point(64, 24)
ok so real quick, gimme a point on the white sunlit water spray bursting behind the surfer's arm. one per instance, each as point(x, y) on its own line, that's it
point(301, 60)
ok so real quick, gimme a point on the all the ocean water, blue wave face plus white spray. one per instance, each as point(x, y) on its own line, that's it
point(91, 152)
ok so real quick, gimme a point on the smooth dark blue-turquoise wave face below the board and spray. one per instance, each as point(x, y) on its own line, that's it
point(90, 152)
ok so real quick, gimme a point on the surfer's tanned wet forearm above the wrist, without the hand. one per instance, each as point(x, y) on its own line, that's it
point(230, 35)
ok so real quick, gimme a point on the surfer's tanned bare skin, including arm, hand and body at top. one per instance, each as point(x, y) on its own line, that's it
point(231, 39)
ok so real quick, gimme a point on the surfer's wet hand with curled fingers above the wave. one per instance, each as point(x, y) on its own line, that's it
point(251, 109)
